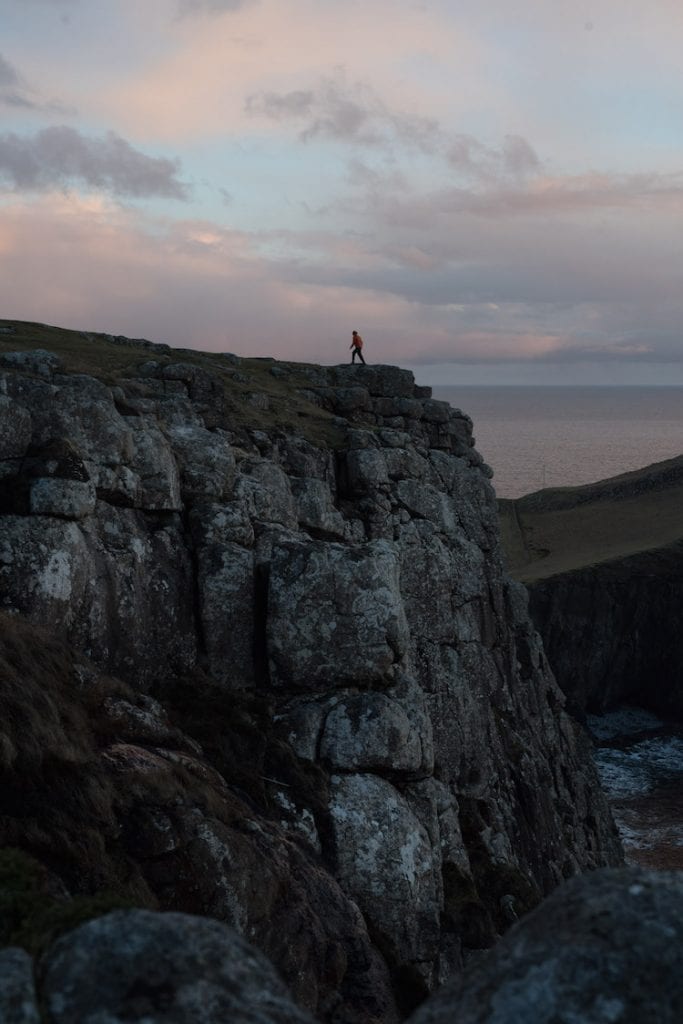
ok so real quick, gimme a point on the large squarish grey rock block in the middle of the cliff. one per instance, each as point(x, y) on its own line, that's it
point(335, 616)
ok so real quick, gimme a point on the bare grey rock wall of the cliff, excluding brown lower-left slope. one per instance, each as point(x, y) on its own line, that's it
point(360, 590)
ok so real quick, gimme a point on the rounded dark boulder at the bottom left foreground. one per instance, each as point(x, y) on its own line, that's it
point(139, 966)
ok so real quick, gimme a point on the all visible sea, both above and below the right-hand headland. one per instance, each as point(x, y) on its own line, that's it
point(536, 438)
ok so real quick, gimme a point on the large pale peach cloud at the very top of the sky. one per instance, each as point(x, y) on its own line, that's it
point(276, 50)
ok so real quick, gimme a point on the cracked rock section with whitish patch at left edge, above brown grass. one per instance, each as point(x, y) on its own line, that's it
point(102, 581)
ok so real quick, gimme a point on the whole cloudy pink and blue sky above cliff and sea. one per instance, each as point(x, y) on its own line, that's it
point(489, 191)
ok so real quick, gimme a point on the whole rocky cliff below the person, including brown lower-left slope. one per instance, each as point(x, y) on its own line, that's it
point(336, 729)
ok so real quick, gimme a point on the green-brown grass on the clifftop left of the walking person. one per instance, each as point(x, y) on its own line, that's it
point(115, 360)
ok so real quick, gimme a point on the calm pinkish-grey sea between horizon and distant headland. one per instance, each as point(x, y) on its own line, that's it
point(553, 437)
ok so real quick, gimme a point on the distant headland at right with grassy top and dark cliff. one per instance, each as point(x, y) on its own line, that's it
point(605, 568)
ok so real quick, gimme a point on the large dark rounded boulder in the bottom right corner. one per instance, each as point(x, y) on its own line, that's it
point(605, 949)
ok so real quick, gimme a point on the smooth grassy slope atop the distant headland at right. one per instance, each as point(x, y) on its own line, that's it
point(560, 530)
